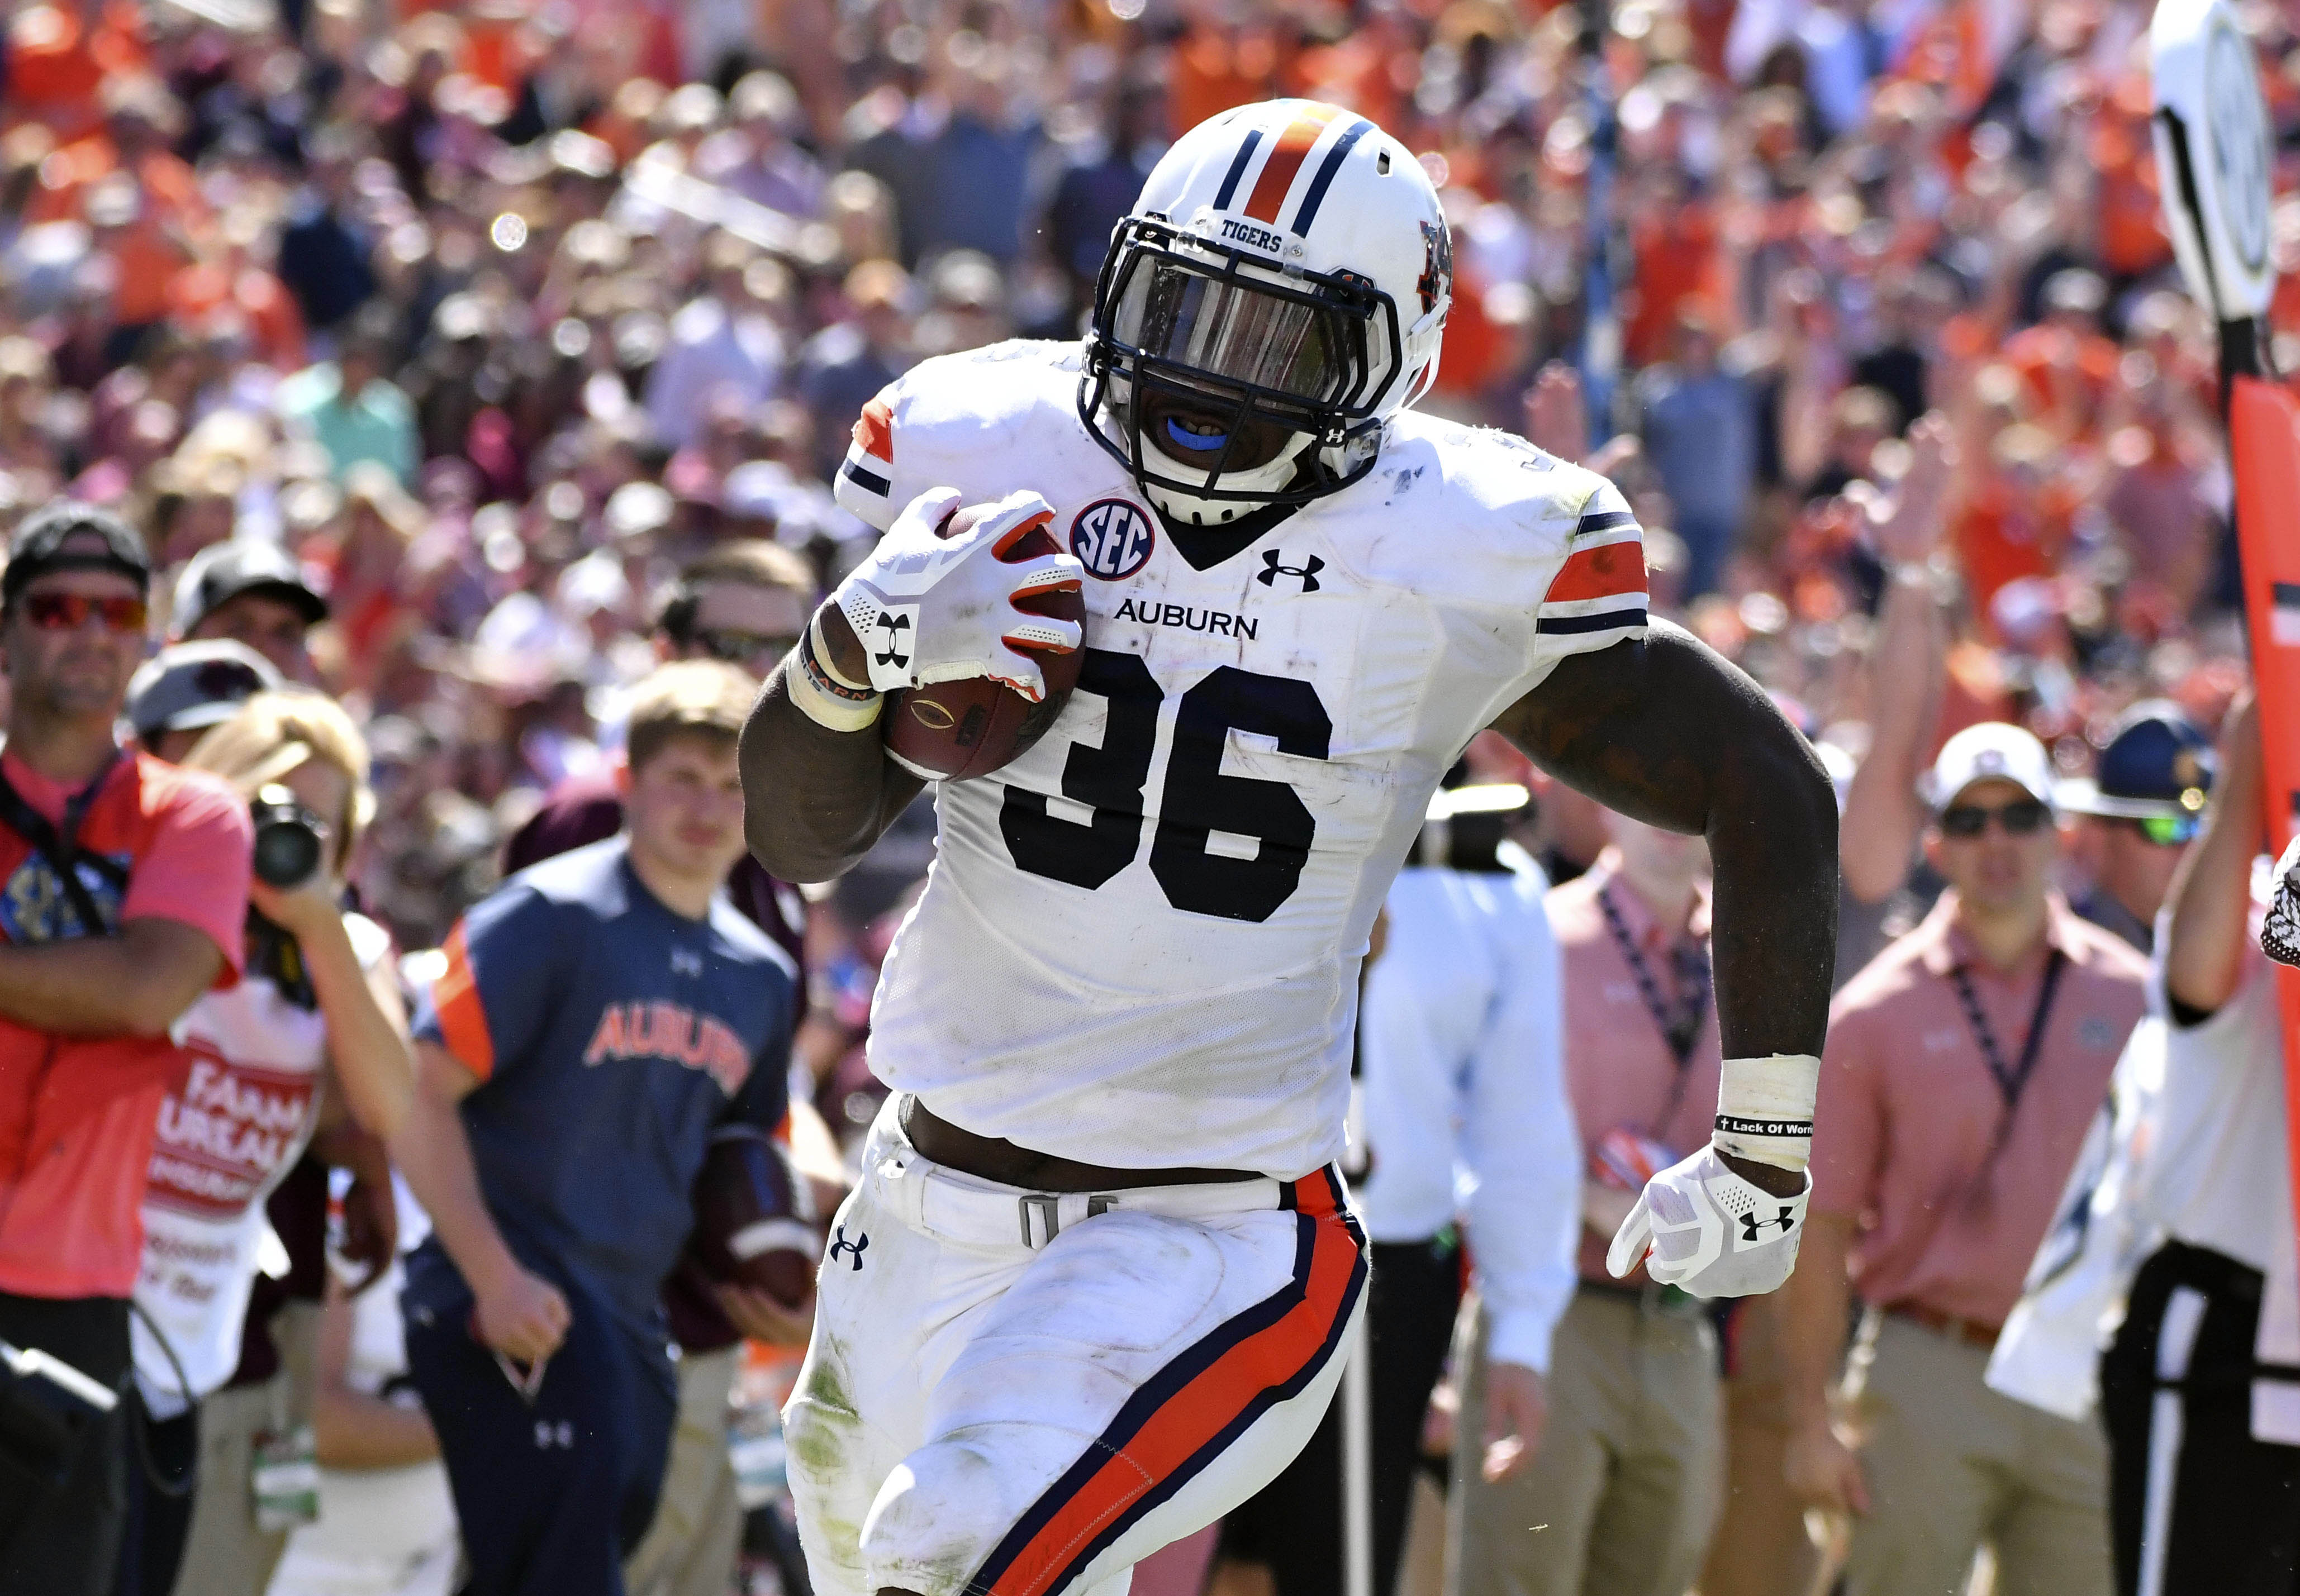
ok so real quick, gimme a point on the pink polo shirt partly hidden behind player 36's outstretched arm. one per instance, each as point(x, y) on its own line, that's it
point(1620, 1068)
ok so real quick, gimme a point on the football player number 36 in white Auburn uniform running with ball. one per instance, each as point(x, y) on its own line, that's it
point(1094, 1282)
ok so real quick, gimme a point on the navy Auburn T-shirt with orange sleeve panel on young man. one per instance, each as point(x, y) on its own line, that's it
point(611, 1038)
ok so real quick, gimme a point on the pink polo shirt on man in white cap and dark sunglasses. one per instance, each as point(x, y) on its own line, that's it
point(1910, 1110)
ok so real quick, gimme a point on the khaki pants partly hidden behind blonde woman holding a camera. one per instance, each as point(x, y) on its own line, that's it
point(227, 1553)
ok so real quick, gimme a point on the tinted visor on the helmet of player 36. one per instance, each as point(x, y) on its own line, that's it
point(1241, 332)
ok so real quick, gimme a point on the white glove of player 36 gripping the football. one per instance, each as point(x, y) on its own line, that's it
point(944, 608)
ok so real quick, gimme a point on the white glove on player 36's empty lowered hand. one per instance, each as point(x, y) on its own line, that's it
point(1710, 1231)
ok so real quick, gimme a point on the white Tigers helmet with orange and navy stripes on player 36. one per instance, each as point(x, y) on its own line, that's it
point(1285, 275)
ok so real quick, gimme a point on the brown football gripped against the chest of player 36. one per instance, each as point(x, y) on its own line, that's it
point(969, 728)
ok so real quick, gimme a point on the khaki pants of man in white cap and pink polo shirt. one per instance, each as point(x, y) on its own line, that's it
point(1954, 1466)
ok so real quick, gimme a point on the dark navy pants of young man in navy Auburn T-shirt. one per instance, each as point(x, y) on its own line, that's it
point(551, 1494)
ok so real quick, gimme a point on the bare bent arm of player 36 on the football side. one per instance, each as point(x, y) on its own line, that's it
point(815, 799)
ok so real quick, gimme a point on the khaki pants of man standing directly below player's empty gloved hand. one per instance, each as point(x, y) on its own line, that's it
point(1625, 1484)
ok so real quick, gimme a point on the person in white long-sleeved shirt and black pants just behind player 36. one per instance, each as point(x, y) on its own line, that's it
point(1466, 1112)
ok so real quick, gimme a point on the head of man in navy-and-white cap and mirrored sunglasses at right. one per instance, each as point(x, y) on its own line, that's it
point(2142, 808)
